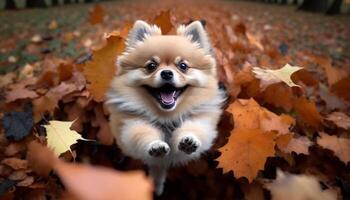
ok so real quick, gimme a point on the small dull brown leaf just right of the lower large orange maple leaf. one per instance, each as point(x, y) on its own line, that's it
point(298, 145)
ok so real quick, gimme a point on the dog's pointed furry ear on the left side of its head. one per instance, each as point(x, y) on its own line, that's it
point(140, 31)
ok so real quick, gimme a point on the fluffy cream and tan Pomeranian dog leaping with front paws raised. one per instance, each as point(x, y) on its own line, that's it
point(164, 101)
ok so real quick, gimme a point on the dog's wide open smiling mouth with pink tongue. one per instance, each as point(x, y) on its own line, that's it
point(166, 95)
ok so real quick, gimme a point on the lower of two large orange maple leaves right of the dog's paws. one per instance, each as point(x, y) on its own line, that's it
point(246, 152)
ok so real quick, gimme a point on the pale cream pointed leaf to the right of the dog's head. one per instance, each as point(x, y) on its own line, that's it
point(269, 76)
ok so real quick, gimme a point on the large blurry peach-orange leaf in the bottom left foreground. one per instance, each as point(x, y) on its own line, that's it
point(93, 182)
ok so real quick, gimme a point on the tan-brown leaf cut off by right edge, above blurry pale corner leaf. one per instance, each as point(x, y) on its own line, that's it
point(340, 146)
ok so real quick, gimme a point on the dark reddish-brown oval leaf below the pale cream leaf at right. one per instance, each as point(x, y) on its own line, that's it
point(308, 112)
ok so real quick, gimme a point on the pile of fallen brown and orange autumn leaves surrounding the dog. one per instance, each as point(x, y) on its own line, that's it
point(284, 132)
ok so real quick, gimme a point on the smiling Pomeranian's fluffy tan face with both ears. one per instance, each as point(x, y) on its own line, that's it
point(168, 74)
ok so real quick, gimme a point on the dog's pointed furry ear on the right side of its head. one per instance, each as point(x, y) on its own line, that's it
point(197, 34)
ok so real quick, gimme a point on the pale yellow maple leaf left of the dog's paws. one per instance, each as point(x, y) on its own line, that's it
point(60, 137)
